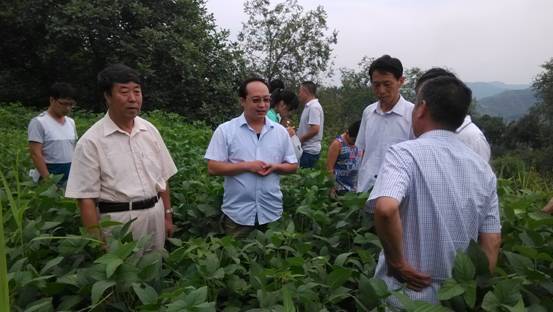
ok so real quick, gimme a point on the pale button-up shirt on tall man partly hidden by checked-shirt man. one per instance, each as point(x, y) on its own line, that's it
point(379, 130)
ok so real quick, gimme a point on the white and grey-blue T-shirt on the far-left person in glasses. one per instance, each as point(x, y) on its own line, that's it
point(58, 140)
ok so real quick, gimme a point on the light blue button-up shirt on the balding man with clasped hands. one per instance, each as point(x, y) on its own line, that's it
point(249, 195)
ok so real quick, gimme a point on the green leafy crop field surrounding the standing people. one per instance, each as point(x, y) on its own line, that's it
point(319, 257)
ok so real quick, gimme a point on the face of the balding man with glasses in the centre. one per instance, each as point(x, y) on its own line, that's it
point(257, 100)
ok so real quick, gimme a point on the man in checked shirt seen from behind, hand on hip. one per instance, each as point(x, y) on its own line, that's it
point(433, 195)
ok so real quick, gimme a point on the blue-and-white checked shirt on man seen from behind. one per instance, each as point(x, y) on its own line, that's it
point(448, 196)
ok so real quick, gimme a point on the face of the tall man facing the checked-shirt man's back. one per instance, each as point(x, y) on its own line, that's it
point(386, 88)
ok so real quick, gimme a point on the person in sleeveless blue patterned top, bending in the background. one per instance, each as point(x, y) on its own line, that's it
point(343, 161)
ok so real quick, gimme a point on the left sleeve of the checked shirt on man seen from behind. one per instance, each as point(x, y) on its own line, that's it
point(393, 178)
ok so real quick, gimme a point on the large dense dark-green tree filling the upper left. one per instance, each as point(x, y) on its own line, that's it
point(187, 65)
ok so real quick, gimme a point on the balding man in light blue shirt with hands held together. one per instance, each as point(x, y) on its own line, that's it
point(250, 151)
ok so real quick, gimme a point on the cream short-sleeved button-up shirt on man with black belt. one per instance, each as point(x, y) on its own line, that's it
point(112, 165)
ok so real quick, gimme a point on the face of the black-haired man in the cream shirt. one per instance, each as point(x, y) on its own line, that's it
point(125, 101)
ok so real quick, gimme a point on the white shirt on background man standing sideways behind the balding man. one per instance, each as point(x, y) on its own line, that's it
point(312, 115)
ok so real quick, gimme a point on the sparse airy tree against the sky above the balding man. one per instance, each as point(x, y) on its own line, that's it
point(285, 42)
